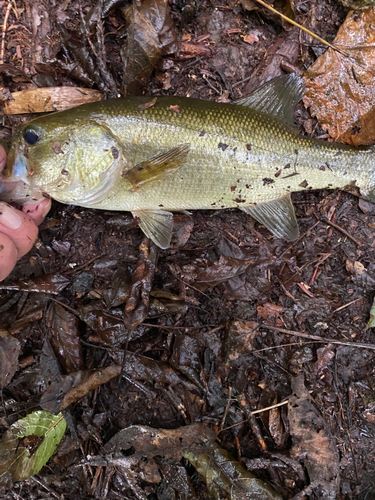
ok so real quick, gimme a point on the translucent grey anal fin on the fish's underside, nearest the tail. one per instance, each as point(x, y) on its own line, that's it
point(278, 216)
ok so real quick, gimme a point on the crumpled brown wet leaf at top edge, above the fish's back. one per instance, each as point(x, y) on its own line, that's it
point(151, 34)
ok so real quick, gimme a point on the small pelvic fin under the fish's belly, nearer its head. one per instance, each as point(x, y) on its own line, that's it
point(157, 225)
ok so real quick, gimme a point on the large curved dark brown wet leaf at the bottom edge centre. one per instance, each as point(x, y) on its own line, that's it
point(224, 477)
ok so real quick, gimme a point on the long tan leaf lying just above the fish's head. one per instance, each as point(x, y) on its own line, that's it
point(49, 99)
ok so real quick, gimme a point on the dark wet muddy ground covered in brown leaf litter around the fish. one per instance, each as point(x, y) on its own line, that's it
point(225, 321)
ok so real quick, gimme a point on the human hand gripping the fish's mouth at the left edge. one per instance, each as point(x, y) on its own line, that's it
point(18, 230)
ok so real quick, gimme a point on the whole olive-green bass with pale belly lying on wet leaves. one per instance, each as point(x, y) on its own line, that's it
point(154, 156)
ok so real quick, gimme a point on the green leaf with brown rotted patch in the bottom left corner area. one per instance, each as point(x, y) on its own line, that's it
point(28, 445)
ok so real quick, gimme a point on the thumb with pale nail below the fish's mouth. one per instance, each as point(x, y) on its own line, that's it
point(19, 227)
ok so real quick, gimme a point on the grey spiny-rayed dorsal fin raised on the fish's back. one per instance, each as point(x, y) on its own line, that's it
point(277, 97)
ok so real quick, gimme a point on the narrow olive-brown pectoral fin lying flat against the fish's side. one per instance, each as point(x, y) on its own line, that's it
point(157, 166)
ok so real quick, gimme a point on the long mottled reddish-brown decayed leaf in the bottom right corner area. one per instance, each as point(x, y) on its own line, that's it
point(313, 441)
